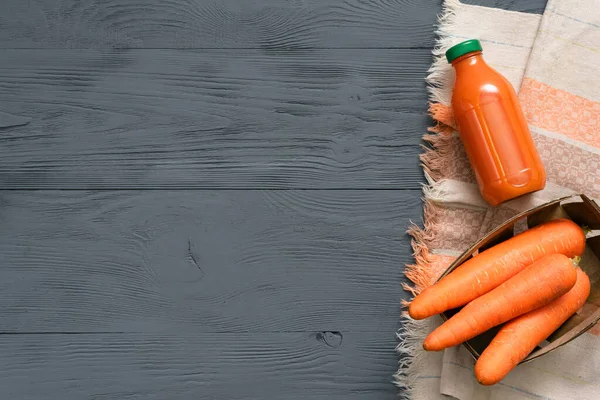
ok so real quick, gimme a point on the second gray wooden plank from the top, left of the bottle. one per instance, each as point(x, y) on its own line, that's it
point(213, 119)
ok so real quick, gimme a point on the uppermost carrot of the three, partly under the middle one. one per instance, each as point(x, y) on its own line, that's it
point(496, 265)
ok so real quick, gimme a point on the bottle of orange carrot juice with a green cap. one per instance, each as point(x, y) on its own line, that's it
point(492, 128)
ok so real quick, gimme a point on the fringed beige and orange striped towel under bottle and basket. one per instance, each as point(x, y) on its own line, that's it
point(553, 61)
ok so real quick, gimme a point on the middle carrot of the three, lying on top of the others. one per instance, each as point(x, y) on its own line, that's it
point(537, 285)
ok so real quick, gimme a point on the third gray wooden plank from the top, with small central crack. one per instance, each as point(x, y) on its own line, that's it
point(203, 261)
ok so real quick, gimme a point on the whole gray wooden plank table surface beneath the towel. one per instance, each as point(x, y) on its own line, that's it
point(207, 199)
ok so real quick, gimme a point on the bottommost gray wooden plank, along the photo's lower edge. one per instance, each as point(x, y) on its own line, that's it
point(192, 365)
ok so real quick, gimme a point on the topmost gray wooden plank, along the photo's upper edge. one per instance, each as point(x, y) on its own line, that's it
point(266, 24)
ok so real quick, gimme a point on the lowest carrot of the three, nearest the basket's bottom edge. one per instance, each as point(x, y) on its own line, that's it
point(517, 339)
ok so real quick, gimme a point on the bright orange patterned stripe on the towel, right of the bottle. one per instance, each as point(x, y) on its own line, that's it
point(561, 112)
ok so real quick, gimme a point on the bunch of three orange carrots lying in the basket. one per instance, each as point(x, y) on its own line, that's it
point(528, 283)
